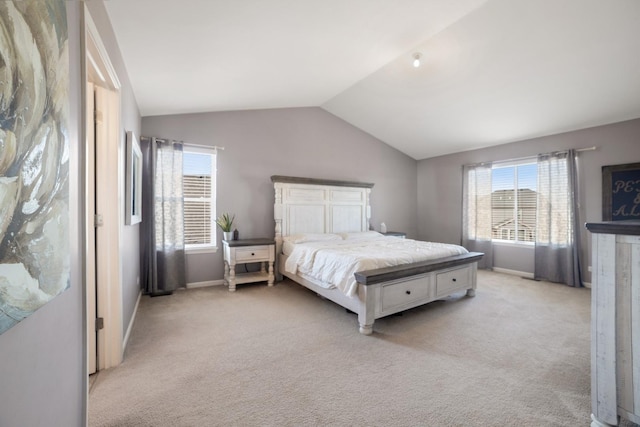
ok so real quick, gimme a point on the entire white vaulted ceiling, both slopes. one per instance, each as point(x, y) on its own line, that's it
point(493, 71)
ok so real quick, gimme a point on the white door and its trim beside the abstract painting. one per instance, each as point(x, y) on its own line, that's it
point(104, 177)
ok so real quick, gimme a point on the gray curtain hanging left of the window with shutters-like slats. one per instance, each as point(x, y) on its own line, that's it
point(162, 230)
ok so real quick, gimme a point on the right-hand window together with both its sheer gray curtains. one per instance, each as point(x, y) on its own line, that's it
point(524, 202)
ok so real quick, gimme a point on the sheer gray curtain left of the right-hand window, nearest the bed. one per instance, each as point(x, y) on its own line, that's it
point(476, 211)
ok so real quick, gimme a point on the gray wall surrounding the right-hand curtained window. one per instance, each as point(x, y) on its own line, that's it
point(440, 183)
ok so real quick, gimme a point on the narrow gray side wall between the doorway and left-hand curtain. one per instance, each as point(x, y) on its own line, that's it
point(129, 120)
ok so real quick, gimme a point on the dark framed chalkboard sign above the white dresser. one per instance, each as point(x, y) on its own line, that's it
point(621, 192)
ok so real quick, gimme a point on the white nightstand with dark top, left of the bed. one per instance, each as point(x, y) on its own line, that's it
point(247, 251)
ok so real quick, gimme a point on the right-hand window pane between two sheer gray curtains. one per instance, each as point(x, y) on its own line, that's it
point(514, 201)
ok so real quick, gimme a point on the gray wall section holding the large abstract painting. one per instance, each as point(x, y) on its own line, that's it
point(42, 359)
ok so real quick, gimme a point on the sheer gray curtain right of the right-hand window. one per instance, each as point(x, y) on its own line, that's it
point(557, 232)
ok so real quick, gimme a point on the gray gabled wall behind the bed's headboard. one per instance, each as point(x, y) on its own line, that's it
point(305, 142)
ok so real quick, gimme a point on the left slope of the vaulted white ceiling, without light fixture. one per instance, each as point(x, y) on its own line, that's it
point(214, 55)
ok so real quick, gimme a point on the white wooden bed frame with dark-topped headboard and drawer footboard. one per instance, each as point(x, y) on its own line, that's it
point(306, 205)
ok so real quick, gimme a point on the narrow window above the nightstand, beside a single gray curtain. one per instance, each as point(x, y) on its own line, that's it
point(199, 171)
